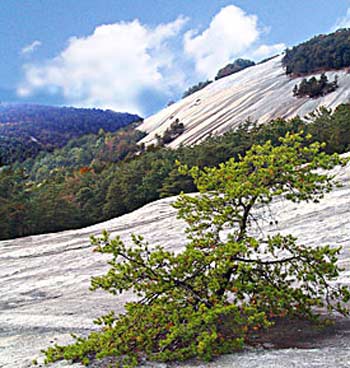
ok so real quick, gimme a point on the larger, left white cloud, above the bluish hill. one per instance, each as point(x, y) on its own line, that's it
point(112, 67)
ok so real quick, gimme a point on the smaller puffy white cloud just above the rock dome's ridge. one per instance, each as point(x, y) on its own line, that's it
point(231, 34)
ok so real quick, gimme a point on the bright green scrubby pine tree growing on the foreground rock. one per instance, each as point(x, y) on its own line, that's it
point(230, 279)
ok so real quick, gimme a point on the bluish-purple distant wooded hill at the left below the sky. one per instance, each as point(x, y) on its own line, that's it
point(26, 129)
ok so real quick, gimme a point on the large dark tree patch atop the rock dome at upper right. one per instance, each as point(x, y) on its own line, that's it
point(320, 53)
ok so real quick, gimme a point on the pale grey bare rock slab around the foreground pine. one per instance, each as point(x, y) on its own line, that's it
point(44, 279)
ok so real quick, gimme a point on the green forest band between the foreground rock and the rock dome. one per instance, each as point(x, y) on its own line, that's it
point(100, 176)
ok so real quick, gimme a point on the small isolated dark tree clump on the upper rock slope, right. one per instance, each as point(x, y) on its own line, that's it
point(314, 87)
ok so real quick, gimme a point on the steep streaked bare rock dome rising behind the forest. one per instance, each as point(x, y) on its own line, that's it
point(262, 92)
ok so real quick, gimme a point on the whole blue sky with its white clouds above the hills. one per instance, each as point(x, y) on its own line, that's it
point(137, 55)
